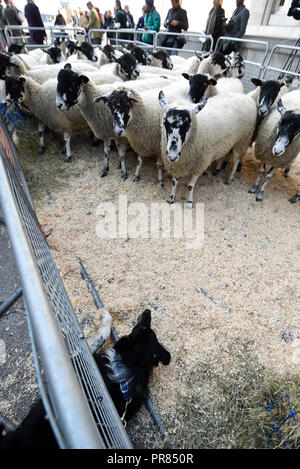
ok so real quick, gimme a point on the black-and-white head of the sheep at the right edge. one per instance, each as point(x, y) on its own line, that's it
point(288, 129)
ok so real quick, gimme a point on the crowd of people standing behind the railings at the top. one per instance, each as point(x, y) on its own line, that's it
point(175, 23)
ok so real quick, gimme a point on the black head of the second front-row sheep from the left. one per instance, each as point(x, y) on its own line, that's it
point(68, 88)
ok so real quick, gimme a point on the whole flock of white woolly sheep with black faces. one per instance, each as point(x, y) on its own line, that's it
point(187, 114)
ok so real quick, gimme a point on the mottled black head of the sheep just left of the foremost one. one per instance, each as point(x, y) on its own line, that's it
point(120, 102)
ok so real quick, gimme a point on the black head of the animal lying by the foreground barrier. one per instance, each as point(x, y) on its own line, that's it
point(140, 350)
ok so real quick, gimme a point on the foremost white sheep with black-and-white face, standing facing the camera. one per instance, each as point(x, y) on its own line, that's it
point(191, 142)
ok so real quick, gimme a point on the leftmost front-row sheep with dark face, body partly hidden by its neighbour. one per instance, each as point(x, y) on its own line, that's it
point(41, 101)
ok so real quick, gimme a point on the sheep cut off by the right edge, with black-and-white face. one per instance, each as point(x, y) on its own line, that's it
point(278, 140)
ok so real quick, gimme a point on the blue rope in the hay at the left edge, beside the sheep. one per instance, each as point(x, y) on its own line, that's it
point(20, 121)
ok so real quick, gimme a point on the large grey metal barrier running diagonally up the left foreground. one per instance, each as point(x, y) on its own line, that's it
point(76, 400)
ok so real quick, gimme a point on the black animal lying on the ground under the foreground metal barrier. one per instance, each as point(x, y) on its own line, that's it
point(126, 370)
